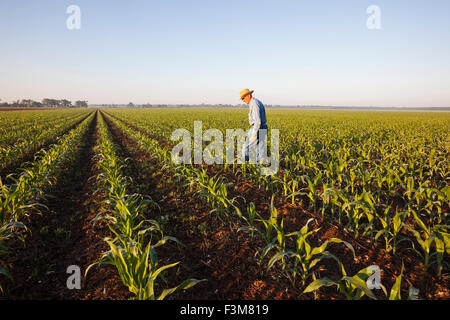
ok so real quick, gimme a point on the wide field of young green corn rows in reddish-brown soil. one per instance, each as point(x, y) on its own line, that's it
point(356, 192)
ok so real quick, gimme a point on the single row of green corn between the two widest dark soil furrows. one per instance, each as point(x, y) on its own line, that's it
point(133, 247)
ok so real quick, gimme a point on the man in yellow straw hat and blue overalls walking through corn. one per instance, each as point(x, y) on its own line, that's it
point(258, 126)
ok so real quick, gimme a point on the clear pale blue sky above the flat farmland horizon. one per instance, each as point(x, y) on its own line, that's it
point(191, 51)
